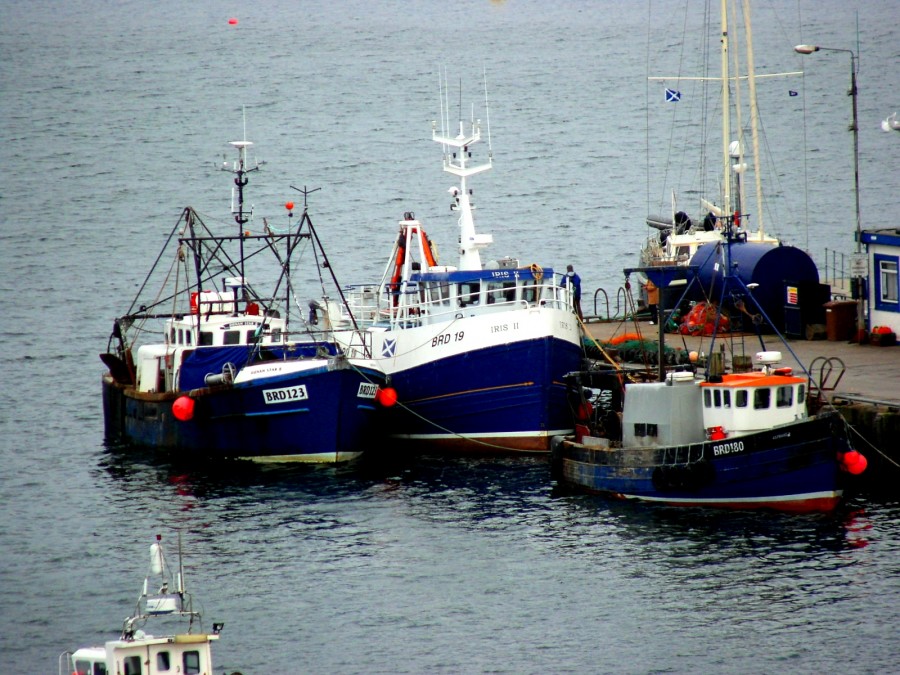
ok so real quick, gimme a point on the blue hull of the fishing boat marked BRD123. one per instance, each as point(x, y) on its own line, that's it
point(331, 423)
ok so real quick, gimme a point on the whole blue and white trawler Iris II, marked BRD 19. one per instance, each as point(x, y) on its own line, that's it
point(475, 352)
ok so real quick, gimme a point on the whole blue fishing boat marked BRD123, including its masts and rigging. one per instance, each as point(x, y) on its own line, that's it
point(232, 373)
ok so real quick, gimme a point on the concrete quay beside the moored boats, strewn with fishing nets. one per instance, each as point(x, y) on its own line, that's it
point(867, 394)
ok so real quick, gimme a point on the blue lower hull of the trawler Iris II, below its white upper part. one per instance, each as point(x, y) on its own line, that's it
point(505, 397)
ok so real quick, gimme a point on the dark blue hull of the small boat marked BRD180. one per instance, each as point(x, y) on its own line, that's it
point(790, 468)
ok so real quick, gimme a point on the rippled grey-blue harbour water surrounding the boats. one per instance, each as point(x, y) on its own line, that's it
point(117, 115)
